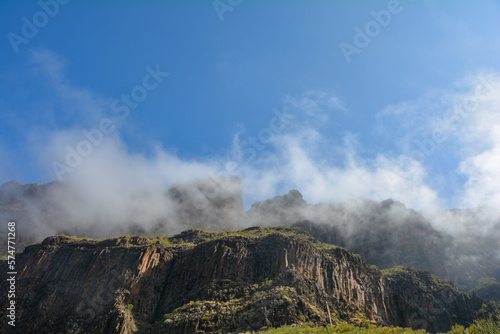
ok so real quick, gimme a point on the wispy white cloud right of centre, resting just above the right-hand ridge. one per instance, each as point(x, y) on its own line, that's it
point(299, 163)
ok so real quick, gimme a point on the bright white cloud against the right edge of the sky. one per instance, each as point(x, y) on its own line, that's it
point(460, 123)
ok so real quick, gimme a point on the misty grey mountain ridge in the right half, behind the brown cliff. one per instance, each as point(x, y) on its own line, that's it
point(388, 234)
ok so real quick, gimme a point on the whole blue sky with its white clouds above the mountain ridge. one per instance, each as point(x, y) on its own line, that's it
point(381, 122)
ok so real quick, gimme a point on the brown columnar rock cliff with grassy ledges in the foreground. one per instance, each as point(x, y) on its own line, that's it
point(200, 281)
